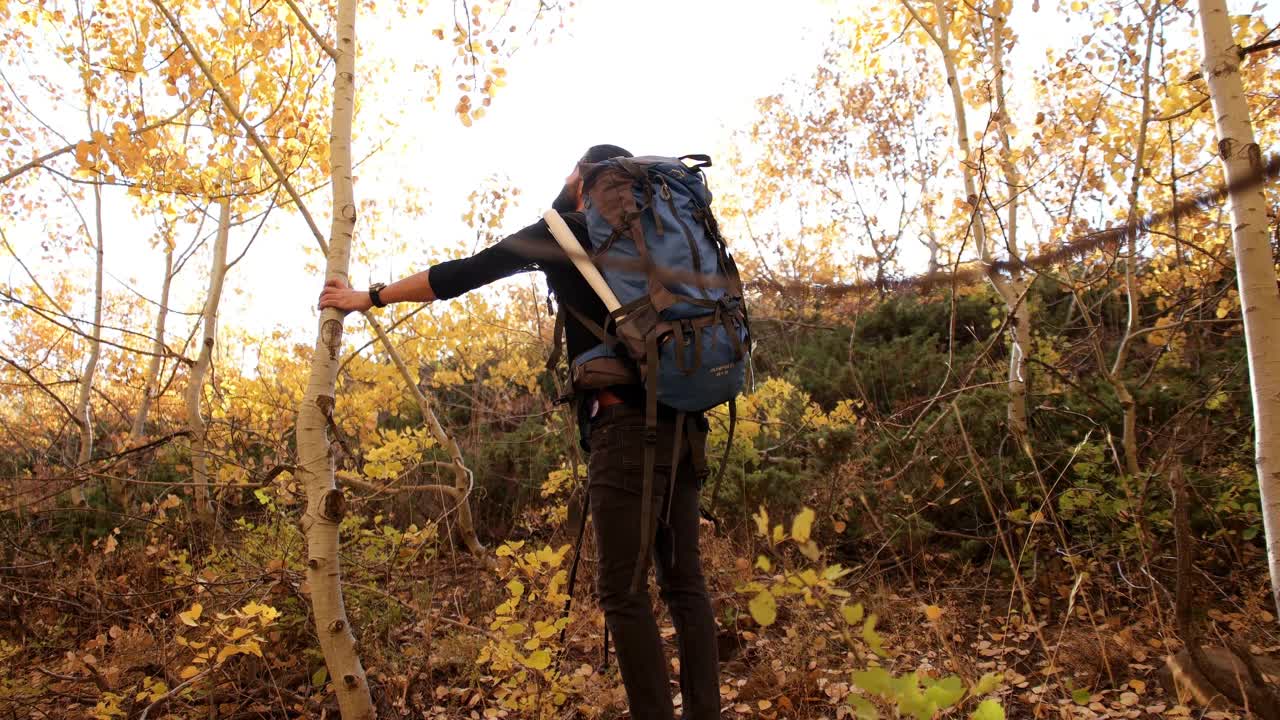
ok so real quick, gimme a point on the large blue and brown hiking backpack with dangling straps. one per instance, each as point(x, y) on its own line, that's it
point(683, 329)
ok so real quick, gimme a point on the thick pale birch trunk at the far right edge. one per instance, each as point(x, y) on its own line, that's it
point(1255, 266)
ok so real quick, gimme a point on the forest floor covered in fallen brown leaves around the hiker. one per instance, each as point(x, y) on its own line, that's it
point(92, 639)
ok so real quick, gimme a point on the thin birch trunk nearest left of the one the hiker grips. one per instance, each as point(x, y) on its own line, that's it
point(196, 384)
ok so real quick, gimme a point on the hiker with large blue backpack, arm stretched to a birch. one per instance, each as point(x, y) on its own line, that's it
point(651, 309)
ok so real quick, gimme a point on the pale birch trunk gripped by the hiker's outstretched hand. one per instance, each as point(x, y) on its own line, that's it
point(326, 503)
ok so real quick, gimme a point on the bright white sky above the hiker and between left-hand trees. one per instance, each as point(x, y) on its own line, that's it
point(657, 78)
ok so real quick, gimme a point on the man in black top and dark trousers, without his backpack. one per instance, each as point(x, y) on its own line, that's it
point(612, 425)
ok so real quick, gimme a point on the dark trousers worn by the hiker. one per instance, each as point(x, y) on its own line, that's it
point(616, 481)
